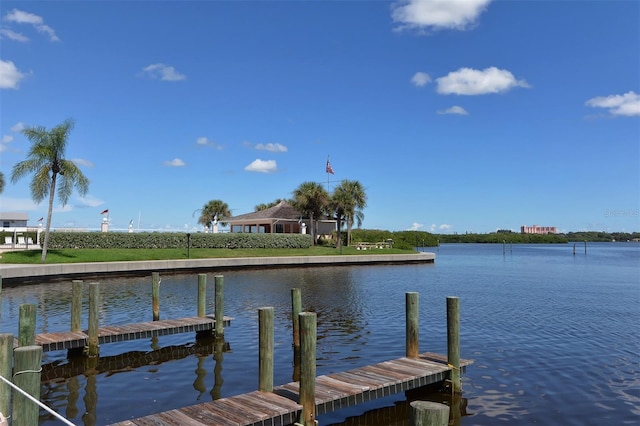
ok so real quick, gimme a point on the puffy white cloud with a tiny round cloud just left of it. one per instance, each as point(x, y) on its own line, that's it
point(468, 81)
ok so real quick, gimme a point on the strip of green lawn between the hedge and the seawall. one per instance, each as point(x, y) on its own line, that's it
point(115, 255)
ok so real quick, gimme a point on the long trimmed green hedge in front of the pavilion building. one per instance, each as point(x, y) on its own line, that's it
point(160, 240)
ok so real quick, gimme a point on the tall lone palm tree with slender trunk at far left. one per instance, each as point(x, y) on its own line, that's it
point(46, 162)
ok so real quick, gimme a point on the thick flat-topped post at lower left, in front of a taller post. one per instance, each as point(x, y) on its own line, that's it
point(28, 363)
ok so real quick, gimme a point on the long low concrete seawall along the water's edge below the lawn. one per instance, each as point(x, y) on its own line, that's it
point(24, 274)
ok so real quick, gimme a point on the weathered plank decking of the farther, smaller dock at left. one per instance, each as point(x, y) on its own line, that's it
point(121, 333)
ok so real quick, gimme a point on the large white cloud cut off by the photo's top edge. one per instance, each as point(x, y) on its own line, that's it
point(437, 14)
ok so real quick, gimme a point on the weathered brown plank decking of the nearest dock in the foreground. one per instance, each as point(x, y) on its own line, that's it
point(332, 392)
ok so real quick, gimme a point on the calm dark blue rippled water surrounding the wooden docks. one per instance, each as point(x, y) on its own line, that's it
point(555, 337)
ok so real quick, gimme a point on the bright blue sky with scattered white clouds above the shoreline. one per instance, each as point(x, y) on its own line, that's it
point(456, 116)
